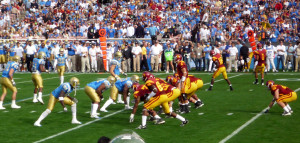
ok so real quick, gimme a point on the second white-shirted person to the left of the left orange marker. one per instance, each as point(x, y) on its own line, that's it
point(85, 63)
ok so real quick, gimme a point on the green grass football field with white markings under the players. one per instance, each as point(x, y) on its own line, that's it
point(227, 116)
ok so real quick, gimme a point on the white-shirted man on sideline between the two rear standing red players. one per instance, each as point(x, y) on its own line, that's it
point(233, 57)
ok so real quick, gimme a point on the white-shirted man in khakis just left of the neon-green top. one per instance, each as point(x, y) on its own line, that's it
point(155, 51)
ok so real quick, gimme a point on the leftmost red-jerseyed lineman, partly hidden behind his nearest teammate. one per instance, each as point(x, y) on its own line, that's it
point(140, 92)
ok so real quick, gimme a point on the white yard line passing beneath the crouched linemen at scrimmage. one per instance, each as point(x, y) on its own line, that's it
point(106, 116)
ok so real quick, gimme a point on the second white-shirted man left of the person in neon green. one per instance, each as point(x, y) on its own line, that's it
point(136, 53)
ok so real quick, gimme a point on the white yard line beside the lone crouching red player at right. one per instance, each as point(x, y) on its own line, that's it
point(246, 124)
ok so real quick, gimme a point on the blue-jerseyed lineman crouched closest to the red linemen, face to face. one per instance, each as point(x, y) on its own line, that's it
point(121, 87)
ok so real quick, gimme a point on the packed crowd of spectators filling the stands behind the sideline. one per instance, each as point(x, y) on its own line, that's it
point(187, 27)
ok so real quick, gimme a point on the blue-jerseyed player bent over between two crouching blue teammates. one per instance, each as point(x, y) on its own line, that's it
point(95, 89)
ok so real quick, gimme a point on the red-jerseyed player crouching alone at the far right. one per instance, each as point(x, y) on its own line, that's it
point(282, 95)
